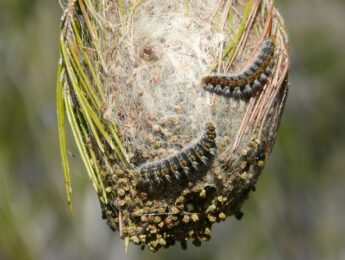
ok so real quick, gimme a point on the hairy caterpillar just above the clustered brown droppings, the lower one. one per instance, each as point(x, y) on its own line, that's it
point(191, 159)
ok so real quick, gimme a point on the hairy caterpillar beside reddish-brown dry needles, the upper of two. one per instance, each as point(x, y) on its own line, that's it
point(247, 82)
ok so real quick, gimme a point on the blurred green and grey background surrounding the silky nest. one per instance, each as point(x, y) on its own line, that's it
point(297, 212)
